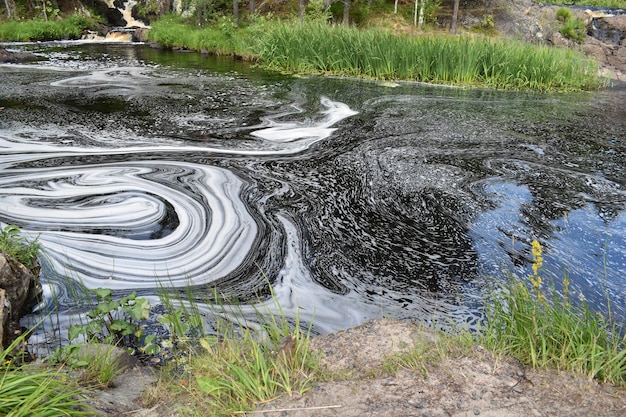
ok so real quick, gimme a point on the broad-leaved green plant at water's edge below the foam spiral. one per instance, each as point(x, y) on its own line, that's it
point(113, 321)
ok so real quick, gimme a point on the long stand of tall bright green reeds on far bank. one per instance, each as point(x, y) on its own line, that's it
point(377, 53)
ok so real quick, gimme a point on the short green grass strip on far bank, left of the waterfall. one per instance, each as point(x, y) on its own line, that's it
point(71, 27)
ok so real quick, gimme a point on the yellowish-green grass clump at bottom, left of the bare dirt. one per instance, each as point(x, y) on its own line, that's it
point(240, 366)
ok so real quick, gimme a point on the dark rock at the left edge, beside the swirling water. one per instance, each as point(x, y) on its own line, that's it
point(20, 291)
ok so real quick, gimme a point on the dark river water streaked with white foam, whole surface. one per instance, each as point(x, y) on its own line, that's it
point(352, 200)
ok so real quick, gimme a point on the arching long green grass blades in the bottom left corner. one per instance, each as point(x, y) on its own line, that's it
point(29, 391)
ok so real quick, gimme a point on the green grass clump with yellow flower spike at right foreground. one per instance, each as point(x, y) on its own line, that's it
point(545, 329)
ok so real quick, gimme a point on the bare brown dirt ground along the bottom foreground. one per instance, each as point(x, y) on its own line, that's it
point(465, 382)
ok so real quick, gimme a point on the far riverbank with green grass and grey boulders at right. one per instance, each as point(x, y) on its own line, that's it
point(524, 48)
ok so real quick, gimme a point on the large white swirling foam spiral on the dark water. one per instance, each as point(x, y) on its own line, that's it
point(129, 223)
